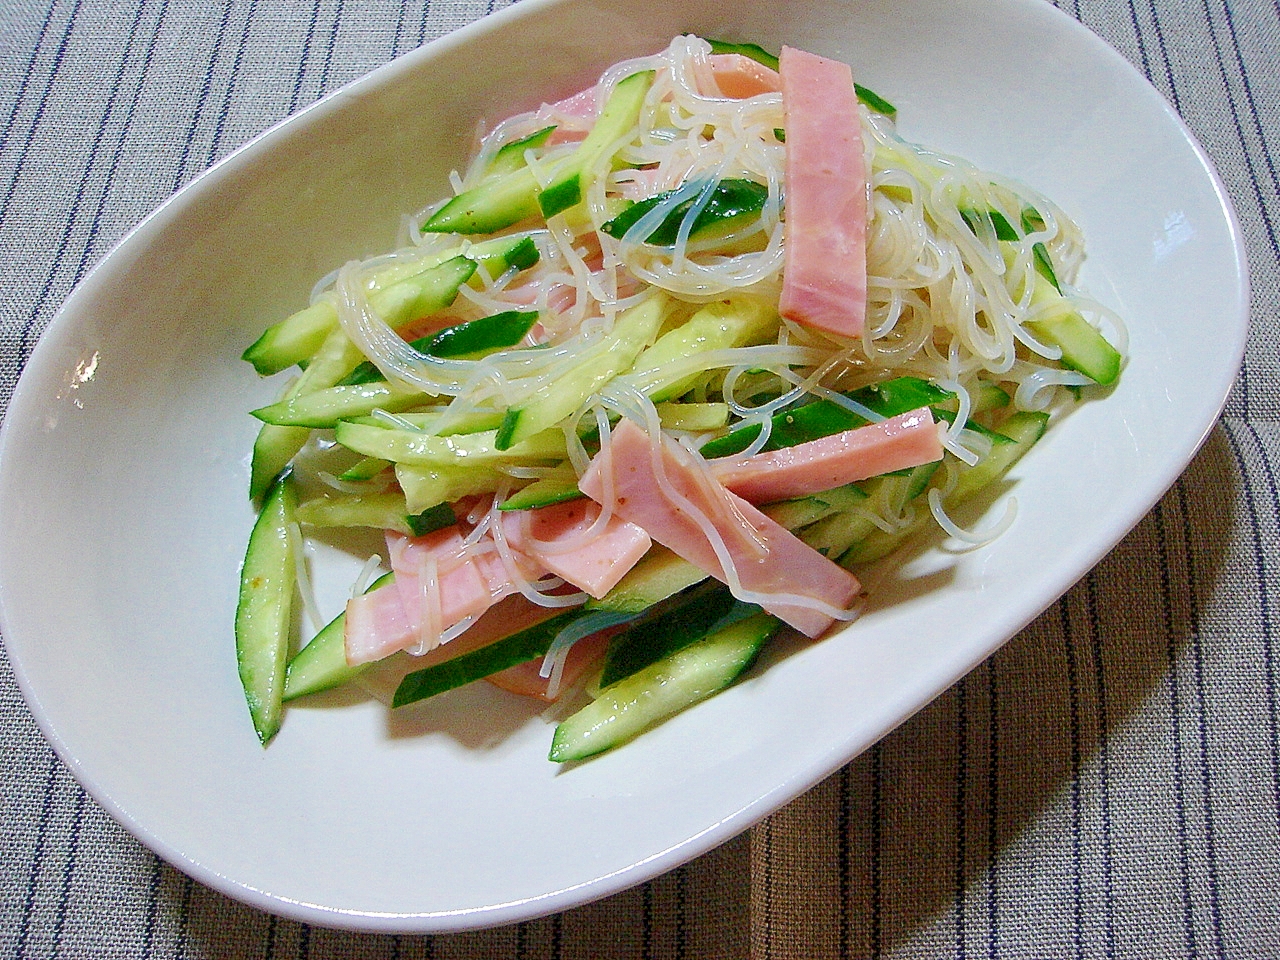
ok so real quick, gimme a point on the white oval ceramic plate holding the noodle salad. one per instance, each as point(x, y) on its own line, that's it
point(125, 468)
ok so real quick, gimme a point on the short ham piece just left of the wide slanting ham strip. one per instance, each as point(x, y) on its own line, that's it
point(554, 537)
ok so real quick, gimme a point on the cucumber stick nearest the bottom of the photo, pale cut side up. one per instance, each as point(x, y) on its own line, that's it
point(662, 689)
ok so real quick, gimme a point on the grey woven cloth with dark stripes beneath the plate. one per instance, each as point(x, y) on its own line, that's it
point(1105, 785)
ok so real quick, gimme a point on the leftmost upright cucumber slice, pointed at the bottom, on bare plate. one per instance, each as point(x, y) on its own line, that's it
point(266, 609)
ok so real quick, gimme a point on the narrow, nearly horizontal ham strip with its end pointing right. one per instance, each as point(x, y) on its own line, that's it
point(902, 442)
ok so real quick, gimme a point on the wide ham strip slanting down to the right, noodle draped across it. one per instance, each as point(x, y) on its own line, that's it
point(767, 557)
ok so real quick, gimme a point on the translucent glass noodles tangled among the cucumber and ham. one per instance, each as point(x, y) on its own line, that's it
point(947, 303)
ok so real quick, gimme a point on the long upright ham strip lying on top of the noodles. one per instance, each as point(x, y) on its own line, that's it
point(825, 234)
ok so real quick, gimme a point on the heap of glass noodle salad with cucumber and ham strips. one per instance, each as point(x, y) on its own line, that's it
point(683, 354)
